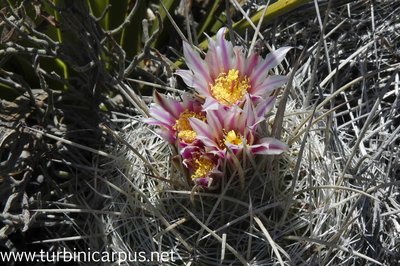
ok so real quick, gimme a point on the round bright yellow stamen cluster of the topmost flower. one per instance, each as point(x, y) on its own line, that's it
point(229, 88)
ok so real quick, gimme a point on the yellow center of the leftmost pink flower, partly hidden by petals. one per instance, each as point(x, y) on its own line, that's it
point(183, 127)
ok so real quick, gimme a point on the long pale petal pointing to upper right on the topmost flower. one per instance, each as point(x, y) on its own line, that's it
point(271, 60)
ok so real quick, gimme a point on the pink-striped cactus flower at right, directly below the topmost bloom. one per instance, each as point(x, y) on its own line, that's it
point(236, 128)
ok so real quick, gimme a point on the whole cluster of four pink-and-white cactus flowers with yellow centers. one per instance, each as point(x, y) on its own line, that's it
point(233, 96)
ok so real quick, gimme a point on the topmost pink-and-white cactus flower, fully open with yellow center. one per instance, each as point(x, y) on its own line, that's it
point(226, 75)
